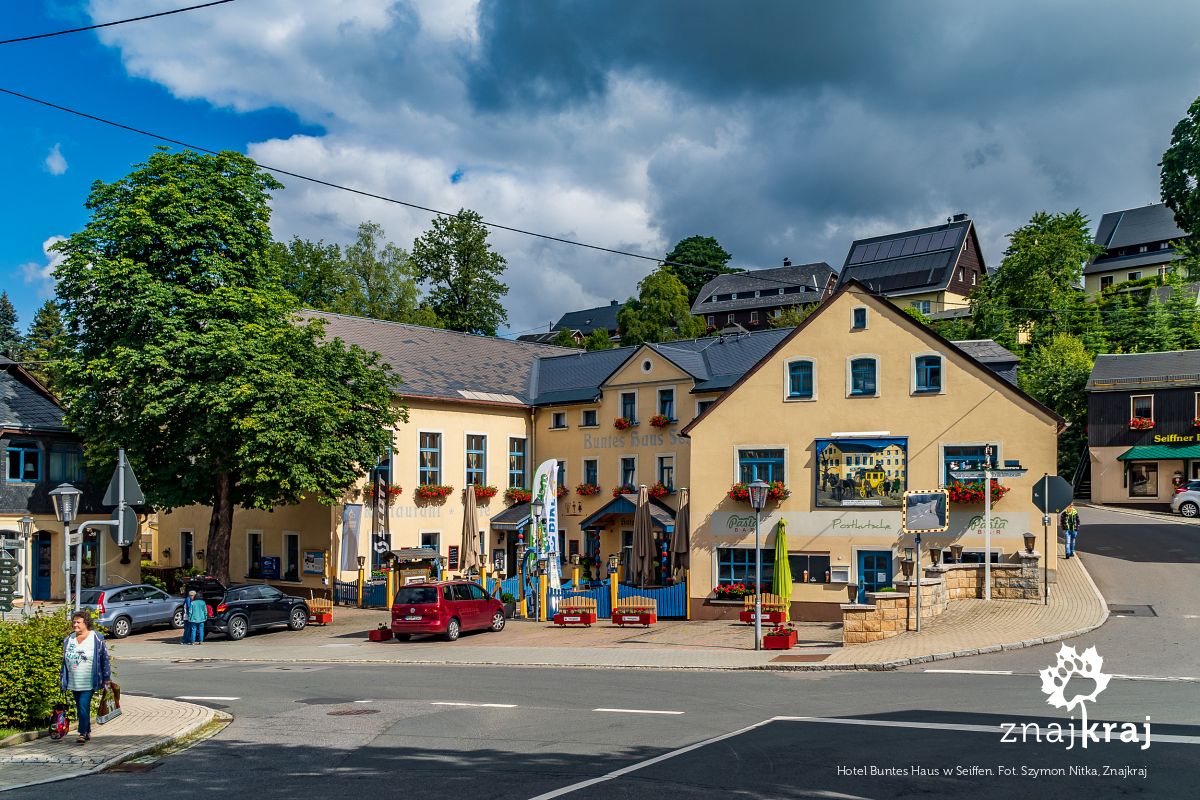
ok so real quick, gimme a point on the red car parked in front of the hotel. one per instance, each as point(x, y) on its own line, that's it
point(449, 609)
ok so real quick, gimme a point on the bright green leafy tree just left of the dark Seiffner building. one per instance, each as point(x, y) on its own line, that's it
point(1057, 374)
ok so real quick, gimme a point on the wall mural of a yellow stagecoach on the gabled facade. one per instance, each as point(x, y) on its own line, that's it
point(862, 472)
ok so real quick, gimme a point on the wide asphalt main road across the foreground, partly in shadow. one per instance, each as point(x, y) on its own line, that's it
point(497, 733)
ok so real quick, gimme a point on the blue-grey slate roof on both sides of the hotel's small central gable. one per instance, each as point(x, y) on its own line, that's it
point(715, 363)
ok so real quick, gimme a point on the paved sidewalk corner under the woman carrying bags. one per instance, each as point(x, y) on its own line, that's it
point(146, 724)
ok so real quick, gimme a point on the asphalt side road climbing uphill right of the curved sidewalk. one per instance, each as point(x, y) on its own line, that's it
point(1145, 566)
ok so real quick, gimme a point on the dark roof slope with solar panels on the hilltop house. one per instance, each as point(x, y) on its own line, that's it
point(910, 261)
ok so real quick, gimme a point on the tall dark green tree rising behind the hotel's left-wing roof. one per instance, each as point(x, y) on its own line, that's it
point(464, 274)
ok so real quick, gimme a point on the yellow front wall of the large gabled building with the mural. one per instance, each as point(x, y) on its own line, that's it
point(974, 407)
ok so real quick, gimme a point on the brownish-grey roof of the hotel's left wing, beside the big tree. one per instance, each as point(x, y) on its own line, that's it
point(436, 363)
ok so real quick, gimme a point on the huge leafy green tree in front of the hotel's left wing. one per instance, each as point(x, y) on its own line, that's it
point(183, 347)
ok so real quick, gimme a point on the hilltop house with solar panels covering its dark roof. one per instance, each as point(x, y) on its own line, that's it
point(933, 270)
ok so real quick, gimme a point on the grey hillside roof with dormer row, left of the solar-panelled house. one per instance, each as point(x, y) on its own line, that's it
point(811, 279)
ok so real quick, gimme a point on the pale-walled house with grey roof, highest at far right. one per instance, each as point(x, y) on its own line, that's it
point(1138, 244)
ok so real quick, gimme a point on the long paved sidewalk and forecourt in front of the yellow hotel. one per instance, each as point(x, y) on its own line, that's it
point(968, 628)
